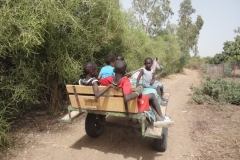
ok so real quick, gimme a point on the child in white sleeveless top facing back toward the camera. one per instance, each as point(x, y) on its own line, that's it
point(148, 79)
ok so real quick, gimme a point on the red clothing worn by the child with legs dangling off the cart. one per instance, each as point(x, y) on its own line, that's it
point(143, 102)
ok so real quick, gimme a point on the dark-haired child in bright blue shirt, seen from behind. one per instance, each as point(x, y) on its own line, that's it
point(108, 69)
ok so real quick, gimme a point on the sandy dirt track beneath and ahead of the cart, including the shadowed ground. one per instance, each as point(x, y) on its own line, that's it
point(51, 140)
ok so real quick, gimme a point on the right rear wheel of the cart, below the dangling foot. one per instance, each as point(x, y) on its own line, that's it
point(161, 144)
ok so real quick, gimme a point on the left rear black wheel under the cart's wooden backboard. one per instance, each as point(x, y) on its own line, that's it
point(94, 124)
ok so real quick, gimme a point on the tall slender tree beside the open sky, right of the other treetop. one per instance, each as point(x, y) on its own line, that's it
point(188, 31)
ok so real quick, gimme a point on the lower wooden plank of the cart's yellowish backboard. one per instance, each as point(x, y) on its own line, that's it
point(114, 104)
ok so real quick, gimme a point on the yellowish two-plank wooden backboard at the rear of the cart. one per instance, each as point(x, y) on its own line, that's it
point(112, 100)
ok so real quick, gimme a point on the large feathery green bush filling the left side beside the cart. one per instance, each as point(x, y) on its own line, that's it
point(43, 46)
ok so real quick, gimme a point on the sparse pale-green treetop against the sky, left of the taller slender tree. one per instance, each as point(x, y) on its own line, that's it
point(152, 14)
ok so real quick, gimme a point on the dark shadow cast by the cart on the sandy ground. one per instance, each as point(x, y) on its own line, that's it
point(120, 138)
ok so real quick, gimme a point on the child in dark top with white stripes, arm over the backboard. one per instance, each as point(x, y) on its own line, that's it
point(91, 72)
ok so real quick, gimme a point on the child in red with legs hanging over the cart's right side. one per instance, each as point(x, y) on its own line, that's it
point(143, 101)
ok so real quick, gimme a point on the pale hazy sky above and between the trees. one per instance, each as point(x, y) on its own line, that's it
point(220, 18)
